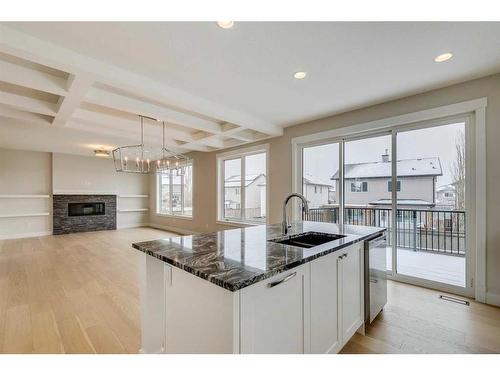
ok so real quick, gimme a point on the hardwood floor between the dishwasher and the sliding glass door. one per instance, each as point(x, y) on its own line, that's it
point(416, 321)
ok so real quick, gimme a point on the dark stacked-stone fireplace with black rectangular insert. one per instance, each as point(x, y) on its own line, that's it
point(83, 213)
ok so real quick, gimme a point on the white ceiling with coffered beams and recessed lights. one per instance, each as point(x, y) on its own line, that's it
point(235, 85)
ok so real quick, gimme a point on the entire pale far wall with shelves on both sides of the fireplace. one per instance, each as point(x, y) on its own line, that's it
point(24, 174)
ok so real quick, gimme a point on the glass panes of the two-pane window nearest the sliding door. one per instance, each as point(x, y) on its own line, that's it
point(243, 187)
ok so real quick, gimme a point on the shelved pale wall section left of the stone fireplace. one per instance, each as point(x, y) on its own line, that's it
point(25, 173)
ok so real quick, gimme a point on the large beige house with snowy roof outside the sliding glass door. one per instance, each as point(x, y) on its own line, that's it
point(370, 184)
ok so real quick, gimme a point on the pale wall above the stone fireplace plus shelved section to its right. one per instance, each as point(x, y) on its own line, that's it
point(92, 175)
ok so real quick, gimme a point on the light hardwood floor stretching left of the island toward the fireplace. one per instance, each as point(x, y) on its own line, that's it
point(73, 293)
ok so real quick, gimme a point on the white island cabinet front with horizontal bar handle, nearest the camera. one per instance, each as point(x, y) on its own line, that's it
point(274, 313)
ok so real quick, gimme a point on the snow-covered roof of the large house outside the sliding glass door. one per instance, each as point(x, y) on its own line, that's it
point(406, 168)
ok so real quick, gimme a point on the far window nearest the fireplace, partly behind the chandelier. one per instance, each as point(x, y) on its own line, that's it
point(175, 193)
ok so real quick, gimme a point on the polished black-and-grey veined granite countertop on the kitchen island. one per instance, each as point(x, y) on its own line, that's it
point(236, 258)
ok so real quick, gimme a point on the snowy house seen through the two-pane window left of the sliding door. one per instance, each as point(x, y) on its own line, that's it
point(255, 193)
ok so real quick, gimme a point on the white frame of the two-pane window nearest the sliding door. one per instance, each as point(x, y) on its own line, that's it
point(239, 154)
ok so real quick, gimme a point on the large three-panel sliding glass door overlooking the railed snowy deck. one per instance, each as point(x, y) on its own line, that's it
point(359, 181)
